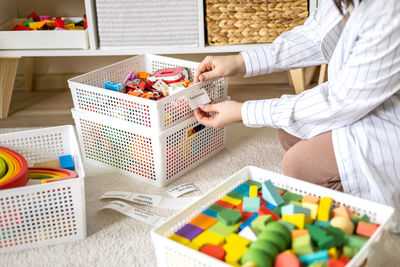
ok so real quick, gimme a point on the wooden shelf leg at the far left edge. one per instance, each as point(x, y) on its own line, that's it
point(8, 71)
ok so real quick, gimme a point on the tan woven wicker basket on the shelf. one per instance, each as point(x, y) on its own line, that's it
point(256, 21)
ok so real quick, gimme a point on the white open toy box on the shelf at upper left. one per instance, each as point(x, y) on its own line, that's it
point(46, 39)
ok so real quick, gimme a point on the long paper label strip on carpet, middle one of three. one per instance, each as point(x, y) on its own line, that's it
point(150, 200)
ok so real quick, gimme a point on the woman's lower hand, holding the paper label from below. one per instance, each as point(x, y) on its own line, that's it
point(226, 113)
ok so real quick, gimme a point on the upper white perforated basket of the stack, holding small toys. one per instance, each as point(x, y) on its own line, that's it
point(89, 95)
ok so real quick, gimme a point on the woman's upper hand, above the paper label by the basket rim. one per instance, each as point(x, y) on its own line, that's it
point(219, 66)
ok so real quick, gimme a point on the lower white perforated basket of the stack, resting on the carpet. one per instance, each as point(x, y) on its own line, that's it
point(153, 157)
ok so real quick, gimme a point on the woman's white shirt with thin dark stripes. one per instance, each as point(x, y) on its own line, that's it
point(360, 102)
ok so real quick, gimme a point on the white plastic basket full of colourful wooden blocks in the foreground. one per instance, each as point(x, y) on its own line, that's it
point(171, 253)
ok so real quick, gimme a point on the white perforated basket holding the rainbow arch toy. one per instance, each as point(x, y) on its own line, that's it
point(43, 214)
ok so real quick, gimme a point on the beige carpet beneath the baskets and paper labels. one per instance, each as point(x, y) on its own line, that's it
point(116, 240)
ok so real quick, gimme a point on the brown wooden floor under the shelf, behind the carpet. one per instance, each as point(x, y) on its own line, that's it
point(53, 107)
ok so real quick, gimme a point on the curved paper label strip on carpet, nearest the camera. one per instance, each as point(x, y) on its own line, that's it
point(138, 214)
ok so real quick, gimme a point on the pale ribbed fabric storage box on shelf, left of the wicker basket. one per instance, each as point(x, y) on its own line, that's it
point(135, 23)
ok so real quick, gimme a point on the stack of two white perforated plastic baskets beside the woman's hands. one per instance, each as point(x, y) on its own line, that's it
point(152, 141)
